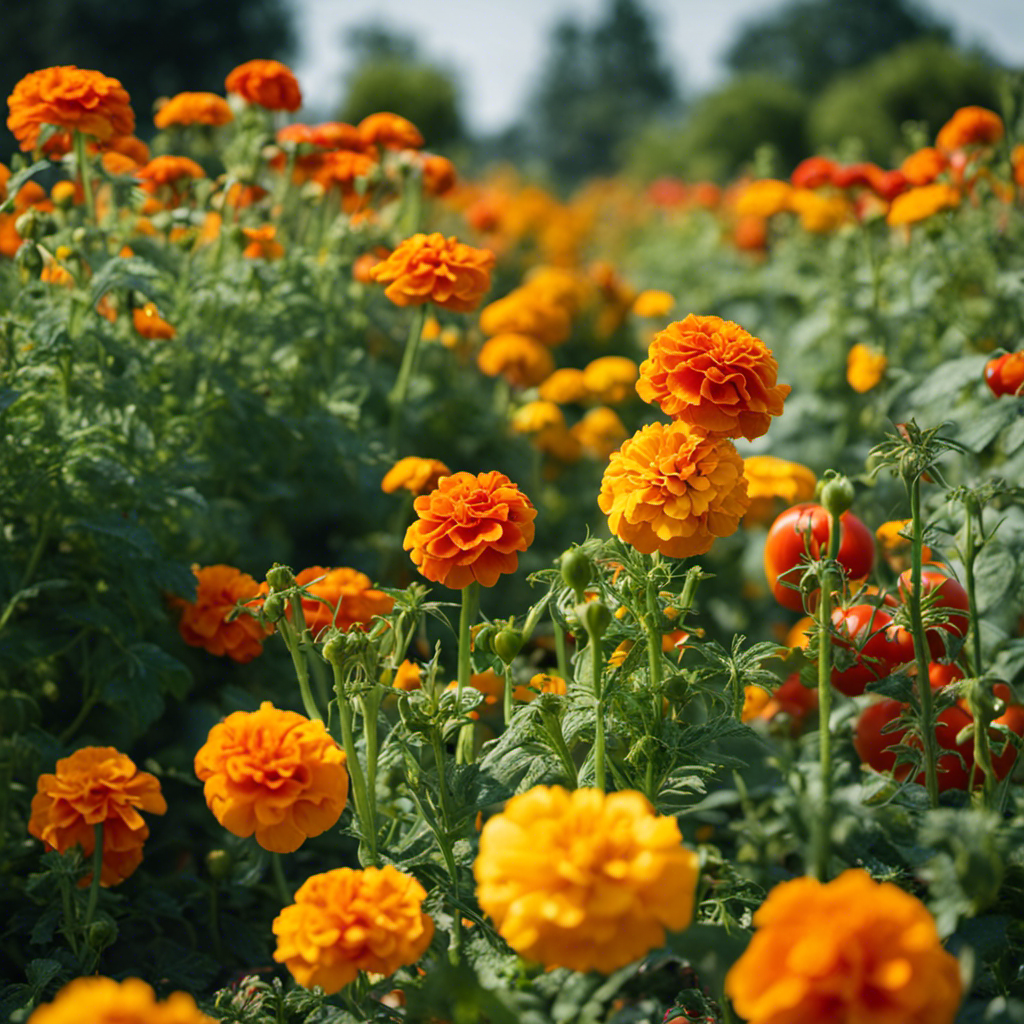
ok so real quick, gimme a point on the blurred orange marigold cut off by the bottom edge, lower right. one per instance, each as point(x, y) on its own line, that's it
point(851, 950)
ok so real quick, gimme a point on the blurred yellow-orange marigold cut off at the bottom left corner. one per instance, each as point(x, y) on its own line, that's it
point(104, 1001)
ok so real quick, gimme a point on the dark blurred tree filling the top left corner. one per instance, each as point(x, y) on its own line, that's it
point(154, 50)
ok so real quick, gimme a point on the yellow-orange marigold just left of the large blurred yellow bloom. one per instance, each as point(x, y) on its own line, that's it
point(348, 921)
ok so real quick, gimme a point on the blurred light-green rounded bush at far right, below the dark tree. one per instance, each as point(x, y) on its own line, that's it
point(923, 82)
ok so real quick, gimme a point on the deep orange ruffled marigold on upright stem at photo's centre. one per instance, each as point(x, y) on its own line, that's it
point(471, 529)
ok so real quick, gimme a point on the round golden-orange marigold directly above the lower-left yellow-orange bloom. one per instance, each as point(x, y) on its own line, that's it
point(274, 775)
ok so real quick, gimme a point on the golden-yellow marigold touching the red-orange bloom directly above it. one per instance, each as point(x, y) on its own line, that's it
point(672, 489)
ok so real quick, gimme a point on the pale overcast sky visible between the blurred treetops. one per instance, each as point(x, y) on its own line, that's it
point(497, 48)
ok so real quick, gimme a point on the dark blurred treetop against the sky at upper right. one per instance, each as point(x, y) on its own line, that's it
point(810, 42)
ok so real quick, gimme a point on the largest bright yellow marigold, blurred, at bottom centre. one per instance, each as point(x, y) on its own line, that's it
point(584, 880)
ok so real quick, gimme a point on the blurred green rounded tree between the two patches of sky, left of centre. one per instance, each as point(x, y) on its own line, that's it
point(391, 74)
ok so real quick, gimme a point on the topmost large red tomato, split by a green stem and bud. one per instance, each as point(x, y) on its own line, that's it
point(804, 530)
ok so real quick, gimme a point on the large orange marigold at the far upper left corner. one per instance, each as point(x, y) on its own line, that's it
point(72, 99)
